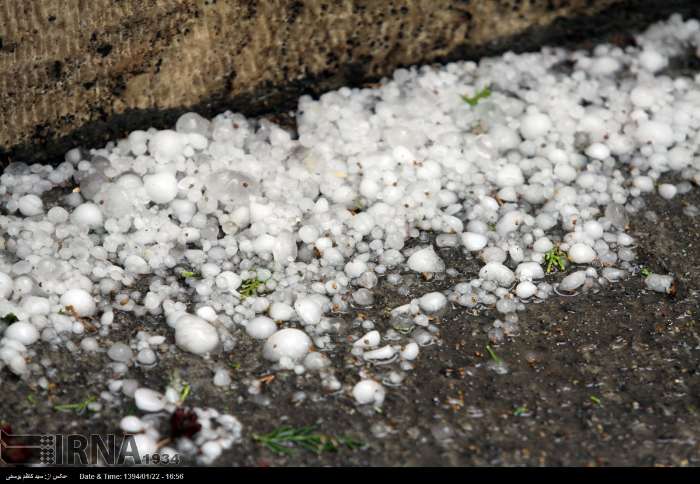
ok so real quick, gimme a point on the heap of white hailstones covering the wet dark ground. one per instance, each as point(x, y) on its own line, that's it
point(242, 229)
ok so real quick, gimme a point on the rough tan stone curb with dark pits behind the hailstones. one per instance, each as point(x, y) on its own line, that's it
point(85, 71)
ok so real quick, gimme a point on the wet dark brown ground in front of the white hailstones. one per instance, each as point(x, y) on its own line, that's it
point(610, 377)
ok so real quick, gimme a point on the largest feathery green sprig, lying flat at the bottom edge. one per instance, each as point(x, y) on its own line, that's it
point(285, 440)
